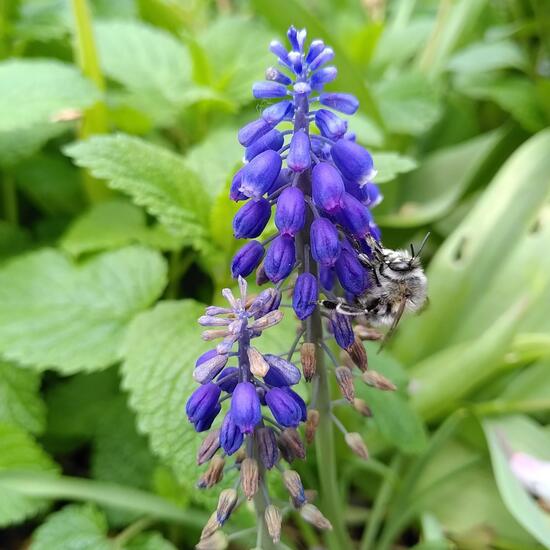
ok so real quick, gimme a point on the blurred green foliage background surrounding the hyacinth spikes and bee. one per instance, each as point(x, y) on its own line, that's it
point(118, 126)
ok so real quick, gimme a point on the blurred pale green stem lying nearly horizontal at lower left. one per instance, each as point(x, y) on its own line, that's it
point(37, 485)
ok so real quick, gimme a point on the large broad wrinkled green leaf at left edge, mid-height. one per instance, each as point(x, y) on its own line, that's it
point(55, 314)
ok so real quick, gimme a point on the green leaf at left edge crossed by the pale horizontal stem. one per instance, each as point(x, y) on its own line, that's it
point(20, 452)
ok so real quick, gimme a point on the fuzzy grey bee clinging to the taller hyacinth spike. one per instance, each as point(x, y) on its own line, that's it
point(398, 284)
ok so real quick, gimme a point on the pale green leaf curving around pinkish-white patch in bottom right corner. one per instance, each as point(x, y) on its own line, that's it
point(520, 434)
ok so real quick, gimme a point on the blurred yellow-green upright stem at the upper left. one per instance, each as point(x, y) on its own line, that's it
point(94, 119)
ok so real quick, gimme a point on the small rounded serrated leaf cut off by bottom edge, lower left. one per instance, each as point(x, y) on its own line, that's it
point(81, 527)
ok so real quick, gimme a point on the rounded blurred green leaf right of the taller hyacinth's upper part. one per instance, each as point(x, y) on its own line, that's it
point(408, 103)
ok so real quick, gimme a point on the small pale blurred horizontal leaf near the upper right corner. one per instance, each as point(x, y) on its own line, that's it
point(488, 56)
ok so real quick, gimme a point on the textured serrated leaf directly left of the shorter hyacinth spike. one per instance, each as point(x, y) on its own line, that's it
point(160, 350)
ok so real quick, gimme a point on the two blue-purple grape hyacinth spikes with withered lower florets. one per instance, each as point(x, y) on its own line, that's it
point(319, 185)
